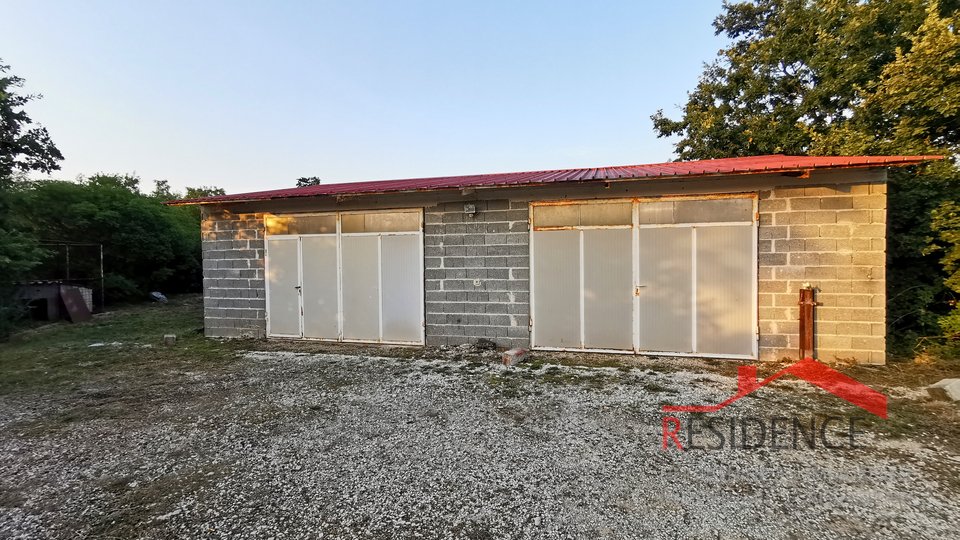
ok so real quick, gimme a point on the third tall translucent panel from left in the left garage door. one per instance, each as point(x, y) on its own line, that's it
point(361, 287)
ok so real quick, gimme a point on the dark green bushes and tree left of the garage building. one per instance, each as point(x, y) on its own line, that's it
point(147, 245)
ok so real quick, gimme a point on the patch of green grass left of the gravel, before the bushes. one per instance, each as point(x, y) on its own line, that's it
point(60, 354)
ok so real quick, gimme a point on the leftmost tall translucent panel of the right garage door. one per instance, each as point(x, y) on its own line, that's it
point(556, 281)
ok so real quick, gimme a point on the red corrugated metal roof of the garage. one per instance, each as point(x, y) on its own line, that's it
point(675, 169)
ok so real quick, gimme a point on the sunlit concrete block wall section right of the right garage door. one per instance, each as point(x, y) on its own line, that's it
point(832, 237)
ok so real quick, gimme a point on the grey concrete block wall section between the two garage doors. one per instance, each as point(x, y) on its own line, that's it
point(491, 247)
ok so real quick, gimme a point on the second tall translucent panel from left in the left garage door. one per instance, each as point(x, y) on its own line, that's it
point(319, 256)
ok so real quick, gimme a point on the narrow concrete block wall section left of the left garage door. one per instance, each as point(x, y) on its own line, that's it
point(234, 302)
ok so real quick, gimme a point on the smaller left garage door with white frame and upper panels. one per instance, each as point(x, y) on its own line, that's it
point(349, 276)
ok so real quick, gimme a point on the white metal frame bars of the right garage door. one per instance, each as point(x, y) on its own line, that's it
point(635, 237)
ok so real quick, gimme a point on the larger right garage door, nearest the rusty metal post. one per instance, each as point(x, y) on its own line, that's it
point(664, 276)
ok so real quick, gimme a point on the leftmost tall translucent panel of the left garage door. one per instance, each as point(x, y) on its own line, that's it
point(283, 269)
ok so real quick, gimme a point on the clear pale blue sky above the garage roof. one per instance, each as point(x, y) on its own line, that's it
point(250, 96)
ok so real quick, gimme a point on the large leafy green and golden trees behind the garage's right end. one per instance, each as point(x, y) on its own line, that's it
point(844, 77)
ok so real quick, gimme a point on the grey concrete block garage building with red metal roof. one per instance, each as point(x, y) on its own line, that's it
point(700, 258)
